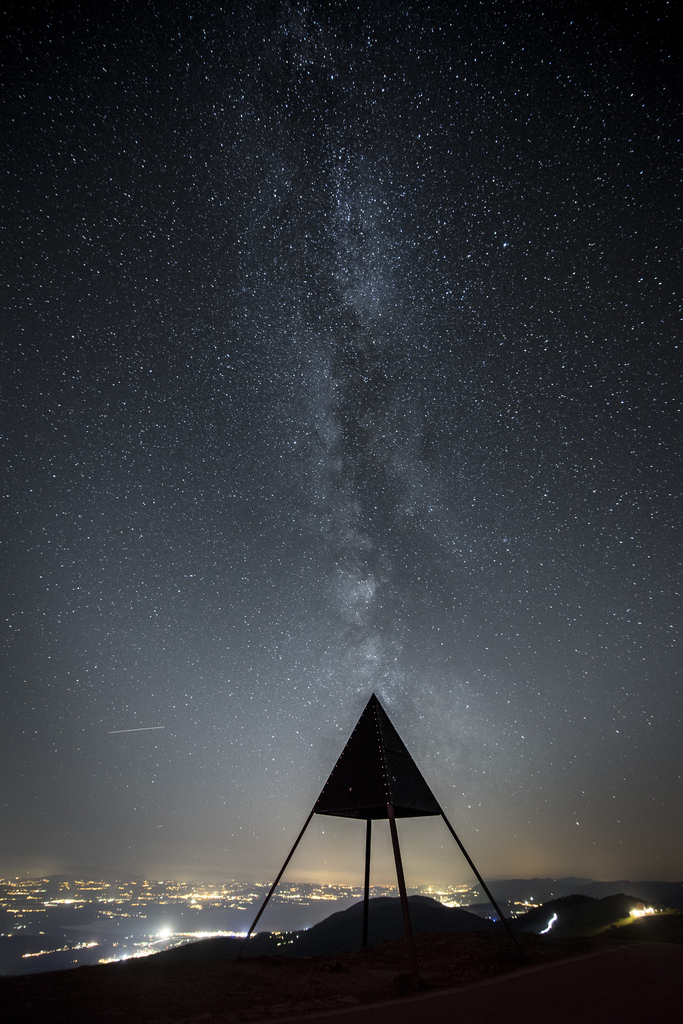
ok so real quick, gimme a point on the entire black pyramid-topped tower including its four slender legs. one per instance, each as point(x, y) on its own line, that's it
point(376, 778)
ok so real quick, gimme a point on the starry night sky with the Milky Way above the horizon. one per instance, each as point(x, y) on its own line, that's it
point(341, 355)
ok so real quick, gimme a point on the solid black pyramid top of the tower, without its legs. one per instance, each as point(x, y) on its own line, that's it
point(375, 771)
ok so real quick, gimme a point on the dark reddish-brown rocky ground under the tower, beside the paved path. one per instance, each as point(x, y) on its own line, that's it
point(264, 989)
